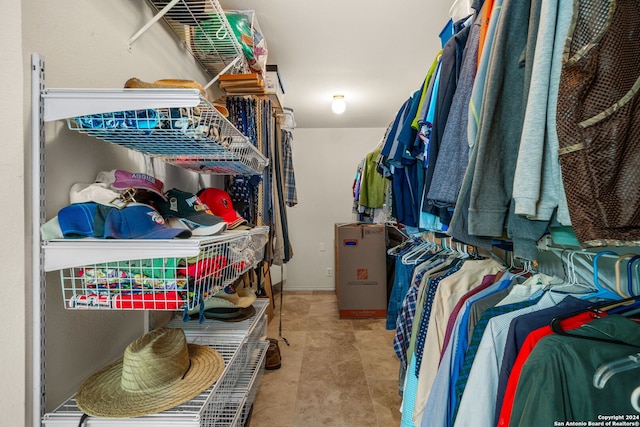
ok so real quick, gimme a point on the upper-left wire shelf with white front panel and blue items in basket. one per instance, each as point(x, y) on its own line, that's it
point(177, 126)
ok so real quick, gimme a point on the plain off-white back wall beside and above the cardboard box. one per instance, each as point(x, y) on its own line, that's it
point(325, 162)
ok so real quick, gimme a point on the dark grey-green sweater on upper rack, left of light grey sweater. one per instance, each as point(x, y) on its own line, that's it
point(491, 210)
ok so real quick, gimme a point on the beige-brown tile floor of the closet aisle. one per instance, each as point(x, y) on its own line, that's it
point(335, 372)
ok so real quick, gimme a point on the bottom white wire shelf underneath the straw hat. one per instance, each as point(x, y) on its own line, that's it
point(210, 408)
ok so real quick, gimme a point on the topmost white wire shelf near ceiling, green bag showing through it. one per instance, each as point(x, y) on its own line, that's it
point(202, 27)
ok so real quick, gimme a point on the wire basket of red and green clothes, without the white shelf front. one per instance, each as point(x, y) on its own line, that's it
point(167, 283)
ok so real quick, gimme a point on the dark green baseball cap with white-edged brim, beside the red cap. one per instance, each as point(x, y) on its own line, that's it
point(189, 212)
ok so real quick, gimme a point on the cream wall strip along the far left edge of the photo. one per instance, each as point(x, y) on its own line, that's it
point(12, 224)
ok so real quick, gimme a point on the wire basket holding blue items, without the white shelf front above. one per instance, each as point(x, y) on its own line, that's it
point(197, 138)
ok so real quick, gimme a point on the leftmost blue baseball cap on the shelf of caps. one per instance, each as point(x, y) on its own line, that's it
point(83, 220)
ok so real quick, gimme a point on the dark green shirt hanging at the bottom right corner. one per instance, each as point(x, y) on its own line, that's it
point(556, 382)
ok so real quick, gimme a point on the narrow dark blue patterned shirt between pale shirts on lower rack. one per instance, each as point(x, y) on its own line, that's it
point(476, 337)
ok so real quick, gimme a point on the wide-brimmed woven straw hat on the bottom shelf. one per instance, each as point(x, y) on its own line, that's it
point(159, 371)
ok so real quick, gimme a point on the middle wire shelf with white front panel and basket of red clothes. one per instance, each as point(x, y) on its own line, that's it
point(169, 275)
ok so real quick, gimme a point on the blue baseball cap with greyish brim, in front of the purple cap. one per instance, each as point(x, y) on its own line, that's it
point(139, 221)
